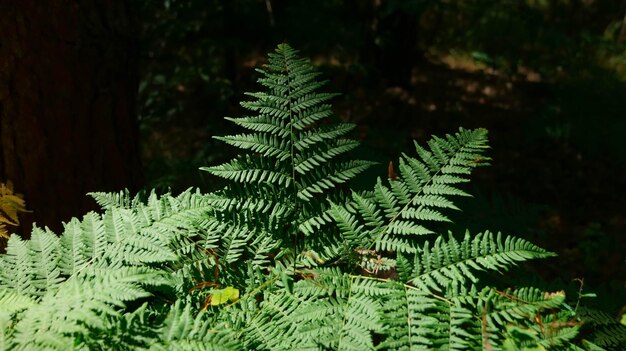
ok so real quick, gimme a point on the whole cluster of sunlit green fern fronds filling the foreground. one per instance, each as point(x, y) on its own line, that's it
point(287, 257)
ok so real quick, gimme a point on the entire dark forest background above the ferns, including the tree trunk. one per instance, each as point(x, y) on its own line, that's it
point(105, 95)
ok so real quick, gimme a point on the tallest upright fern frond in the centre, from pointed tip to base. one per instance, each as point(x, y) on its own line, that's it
point(295, 160)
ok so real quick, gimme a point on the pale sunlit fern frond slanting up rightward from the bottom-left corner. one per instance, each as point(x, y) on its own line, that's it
point(79, 306)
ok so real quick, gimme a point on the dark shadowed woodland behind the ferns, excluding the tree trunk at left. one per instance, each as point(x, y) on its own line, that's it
point(547, 78)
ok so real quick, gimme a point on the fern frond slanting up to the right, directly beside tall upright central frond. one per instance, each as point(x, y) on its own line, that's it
point(421, 192)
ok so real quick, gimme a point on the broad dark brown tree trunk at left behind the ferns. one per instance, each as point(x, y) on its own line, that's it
point(68, 85)
